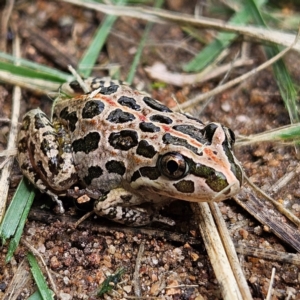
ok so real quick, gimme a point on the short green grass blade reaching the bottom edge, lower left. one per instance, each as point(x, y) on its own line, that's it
point(39, 279)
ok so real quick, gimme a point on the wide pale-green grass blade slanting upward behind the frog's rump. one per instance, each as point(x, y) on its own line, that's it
point(90, 56)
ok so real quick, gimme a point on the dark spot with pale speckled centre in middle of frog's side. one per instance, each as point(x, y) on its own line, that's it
point(123, 140)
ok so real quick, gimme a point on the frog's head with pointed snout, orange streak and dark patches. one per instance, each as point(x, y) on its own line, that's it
point(200, 169)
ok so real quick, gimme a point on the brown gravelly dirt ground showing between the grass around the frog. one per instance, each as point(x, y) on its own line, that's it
point(174, 264)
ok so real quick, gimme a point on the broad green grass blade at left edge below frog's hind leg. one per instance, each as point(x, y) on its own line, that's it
point(21, 199)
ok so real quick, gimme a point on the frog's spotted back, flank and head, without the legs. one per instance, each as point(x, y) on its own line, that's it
point(121, 136)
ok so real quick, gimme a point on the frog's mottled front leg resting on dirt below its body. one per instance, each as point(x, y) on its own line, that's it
point(120, 206)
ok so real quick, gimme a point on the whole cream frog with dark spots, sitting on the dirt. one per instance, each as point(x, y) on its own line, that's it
point(125, 149)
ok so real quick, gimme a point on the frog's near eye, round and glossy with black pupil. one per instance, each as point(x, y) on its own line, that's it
point(172, 165)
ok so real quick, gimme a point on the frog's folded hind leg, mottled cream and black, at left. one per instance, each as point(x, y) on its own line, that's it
point(45, 154)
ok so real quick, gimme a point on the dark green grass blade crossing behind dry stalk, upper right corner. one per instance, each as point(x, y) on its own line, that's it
point(286, 86)
